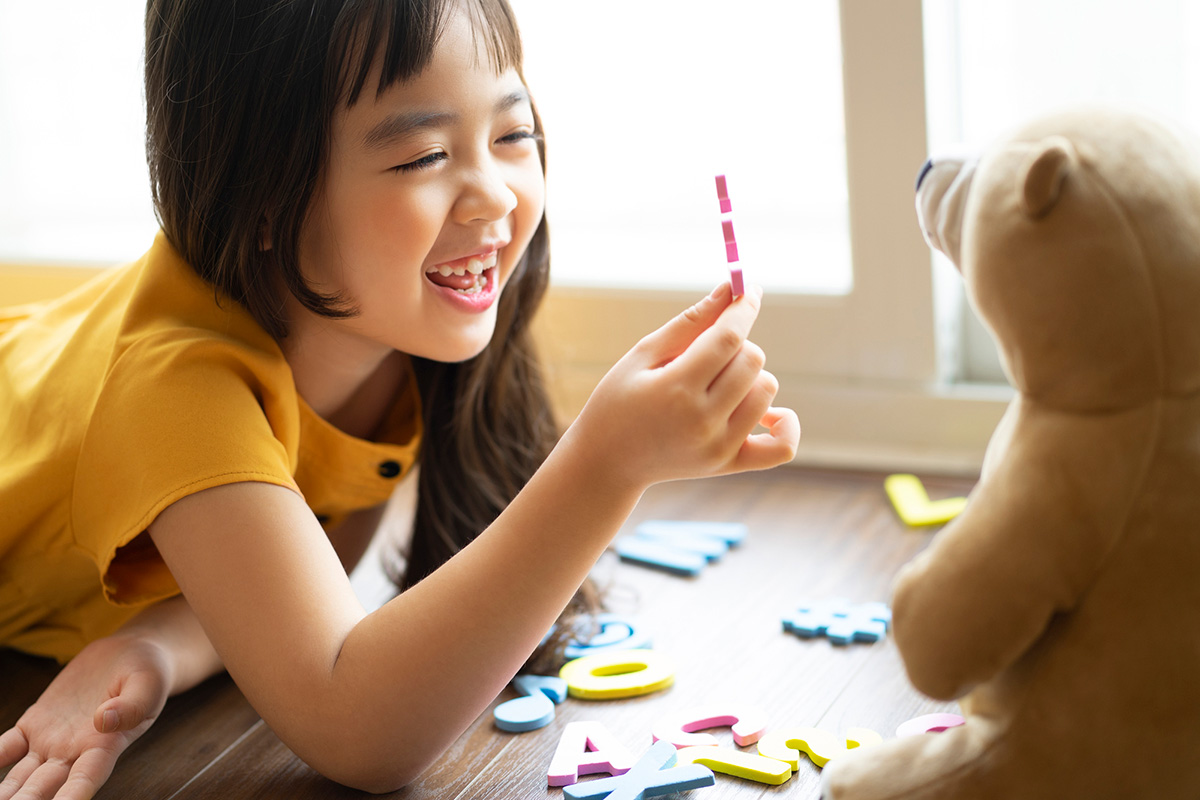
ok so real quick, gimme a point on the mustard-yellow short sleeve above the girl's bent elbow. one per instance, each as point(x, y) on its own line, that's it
point(176, 416)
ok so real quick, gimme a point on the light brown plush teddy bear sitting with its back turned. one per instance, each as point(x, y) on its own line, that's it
point(1063, 607)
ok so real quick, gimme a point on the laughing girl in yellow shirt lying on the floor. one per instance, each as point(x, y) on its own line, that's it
point(353, 244)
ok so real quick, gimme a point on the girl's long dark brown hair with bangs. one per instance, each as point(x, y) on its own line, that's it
point(241, 98)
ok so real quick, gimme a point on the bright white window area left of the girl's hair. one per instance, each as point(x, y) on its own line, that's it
point(73, 131)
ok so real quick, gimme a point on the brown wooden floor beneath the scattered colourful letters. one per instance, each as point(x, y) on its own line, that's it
point(813, 536)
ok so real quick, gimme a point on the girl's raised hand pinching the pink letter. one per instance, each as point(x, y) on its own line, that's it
point(685, 402)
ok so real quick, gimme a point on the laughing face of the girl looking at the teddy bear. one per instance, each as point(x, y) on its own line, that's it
point(430, 197)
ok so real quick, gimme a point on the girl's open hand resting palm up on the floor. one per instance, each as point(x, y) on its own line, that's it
point(67, 744)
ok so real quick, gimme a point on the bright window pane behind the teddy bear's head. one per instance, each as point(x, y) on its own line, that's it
point(993, 65)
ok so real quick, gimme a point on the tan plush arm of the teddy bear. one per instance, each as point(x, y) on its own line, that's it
point(1053, 503)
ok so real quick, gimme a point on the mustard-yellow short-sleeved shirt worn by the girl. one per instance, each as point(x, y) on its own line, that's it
point(118, 400)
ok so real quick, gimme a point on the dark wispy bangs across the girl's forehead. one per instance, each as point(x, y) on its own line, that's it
point(405, 33)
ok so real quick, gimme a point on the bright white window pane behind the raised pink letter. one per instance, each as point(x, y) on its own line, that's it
point(645, 103)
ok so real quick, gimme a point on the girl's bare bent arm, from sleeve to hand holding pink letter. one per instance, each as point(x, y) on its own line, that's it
point(371, 700)
